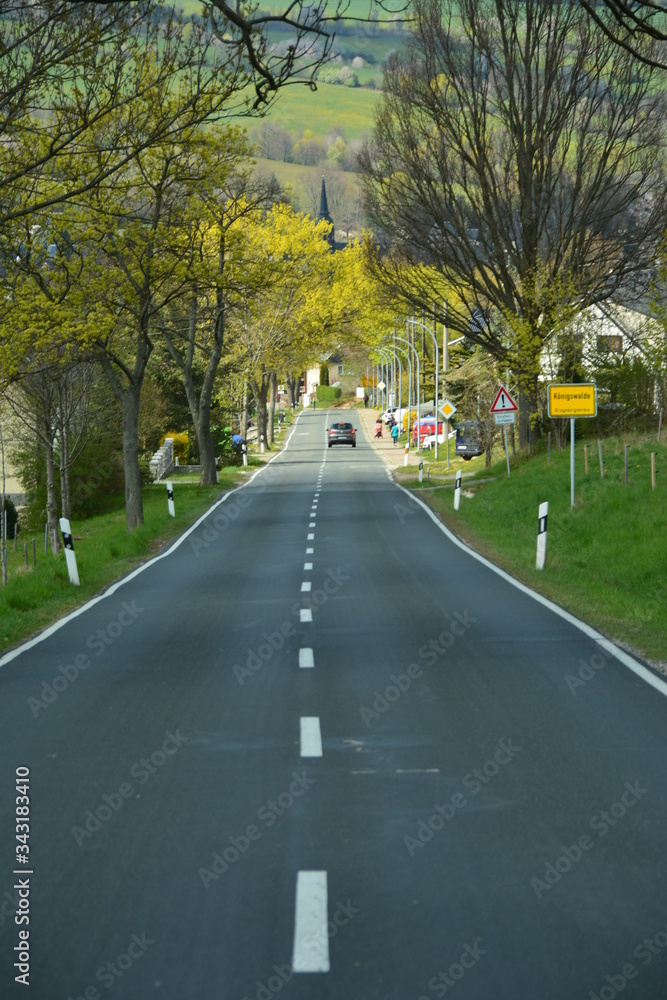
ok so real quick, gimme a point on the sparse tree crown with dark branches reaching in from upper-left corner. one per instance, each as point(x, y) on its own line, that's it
point(70, 75)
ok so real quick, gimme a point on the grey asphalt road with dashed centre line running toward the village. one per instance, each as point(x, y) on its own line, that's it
point(319, 751)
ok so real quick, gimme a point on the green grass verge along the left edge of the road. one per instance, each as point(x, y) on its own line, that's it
point(34, 598)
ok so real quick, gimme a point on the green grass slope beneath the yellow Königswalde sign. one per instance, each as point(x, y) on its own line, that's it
point(606, 557)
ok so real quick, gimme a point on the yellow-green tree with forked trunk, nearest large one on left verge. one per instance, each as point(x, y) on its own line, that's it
point(124, 249)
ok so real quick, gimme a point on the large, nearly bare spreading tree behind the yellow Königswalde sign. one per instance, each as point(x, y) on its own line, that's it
point(518, 159)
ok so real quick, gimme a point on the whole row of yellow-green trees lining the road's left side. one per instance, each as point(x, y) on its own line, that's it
point(130, 225)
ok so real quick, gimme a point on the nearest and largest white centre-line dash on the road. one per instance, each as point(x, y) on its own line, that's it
point(311, 936)
